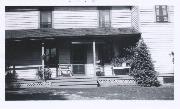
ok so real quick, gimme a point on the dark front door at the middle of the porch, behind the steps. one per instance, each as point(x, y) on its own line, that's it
point(78, 58)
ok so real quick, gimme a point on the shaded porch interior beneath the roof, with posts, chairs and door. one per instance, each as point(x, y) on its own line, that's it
point(66, 61)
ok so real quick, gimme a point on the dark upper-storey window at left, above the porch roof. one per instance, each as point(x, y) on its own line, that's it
point(46, 19)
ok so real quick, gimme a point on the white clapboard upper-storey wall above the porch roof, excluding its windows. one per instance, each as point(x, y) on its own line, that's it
point(68, 17)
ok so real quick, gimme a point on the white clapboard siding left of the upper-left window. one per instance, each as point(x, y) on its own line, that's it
point(22, 20)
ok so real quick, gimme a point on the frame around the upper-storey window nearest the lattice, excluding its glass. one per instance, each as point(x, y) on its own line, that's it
point(100, 10)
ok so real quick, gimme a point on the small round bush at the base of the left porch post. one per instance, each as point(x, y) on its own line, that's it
point(47, 73)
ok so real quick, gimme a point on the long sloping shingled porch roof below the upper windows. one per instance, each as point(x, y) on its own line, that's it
point(71, 32)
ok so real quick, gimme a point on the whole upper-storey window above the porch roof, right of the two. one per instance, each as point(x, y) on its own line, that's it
point(104, 17)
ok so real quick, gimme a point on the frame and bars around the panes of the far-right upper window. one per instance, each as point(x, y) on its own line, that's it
point(161, 16)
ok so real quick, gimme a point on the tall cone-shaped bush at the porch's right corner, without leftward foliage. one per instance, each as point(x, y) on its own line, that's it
point(142, 68)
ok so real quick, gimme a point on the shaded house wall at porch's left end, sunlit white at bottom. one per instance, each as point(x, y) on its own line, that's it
point(25, 57)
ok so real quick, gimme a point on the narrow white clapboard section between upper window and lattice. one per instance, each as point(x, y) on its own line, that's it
point(120, 17)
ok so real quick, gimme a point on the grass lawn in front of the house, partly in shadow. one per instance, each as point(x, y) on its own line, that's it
point(100, 93)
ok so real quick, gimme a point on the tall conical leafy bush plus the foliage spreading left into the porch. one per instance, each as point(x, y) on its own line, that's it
point(142, 68)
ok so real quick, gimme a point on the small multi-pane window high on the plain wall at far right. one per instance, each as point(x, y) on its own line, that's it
point(161, 13)
